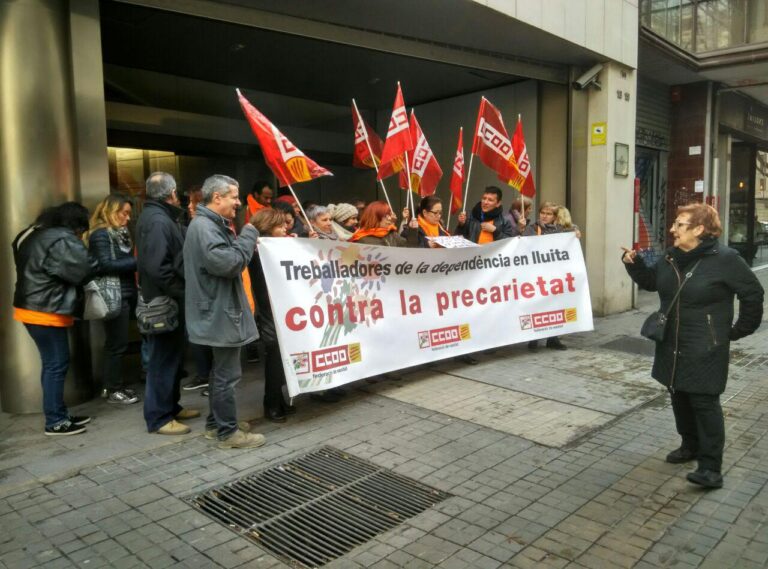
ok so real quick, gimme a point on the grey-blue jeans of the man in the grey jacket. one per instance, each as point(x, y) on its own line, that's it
point(225, 375)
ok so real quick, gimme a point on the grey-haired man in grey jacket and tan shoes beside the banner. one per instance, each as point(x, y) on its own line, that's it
point(217, 310)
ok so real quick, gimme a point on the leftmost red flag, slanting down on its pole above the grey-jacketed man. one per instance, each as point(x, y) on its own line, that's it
point(288, 163)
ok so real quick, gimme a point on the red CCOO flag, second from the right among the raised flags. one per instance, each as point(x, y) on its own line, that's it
point(493, 146)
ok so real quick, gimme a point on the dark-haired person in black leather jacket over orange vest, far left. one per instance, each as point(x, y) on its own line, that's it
point(51, 265)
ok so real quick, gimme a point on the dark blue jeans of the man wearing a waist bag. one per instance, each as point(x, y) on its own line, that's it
point(162, 394)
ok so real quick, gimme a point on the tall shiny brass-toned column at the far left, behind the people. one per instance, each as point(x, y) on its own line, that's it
point(52, 150)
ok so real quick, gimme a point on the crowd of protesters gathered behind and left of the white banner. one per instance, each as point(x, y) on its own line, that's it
point(197, 261)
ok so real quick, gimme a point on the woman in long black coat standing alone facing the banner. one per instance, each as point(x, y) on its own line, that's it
point(692, 360)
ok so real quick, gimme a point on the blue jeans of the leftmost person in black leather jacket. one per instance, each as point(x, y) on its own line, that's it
point(53, 344)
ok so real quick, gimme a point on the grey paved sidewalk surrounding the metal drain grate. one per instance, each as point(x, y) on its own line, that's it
point(552, 459)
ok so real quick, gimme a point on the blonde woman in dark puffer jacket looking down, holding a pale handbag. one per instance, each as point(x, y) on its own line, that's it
point(110, 245)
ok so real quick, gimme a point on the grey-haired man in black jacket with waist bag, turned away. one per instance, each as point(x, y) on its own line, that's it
point(160, 264)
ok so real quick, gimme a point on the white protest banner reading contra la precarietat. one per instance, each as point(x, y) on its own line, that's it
point(345, 311)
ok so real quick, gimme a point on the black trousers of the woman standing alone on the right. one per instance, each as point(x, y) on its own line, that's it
point(699, 420)
